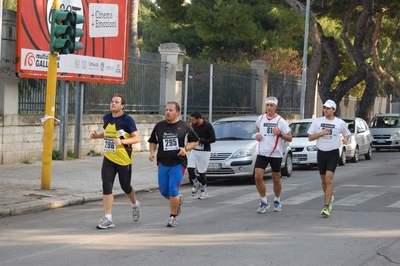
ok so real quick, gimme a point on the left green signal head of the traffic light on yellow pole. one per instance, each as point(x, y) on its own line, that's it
point(60, 32)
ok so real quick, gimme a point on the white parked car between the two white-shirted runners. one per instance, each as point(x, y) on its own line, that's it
point(305, 151)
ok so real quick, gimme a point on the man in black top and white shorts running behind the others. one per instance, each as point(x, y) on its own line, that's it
point(199, 157)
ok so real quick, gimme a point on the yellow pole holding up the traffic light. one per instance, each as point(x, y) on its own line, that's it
point(49, 111)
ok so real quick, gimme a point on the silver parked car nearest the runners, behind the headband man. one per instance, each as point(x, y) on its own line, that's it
point(234, 152)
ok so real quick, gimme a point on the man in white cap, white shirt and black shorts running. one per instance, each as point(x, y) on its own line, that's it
point(328, 131)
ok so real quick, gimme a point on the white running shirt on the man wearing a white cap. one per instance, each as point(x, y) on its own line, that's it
point(332, 141)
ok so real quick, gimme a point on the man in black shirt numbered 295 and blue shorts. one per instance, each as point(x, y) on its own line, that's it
point(174, 139)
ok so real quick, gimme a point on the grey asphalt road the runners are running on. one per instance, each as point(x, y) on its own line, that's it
point(225, 229)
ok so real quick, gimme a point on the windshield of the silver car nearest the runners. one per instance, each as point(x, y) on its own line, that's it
point(234, 130)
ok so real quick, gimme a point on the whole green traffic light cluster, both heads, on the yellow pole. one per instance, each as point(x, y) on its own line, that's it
point(64, 32)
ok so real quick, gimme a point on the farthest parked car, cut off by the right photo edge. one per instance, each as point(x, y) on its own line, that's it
point(385, 131)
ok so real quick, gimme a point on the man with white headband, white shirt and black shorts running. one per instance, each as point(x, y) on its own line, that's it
point(272, 129)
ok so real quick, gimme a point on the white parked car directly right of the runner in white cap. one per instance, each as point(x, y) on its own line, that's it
point(360, 141)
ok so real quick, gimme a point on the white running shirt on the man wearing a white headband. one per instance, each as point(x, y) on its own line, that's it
point(270, 144)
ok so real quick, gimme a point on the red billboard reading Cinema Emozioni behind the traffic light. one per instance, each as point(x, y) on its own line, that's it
point(104, 57)
